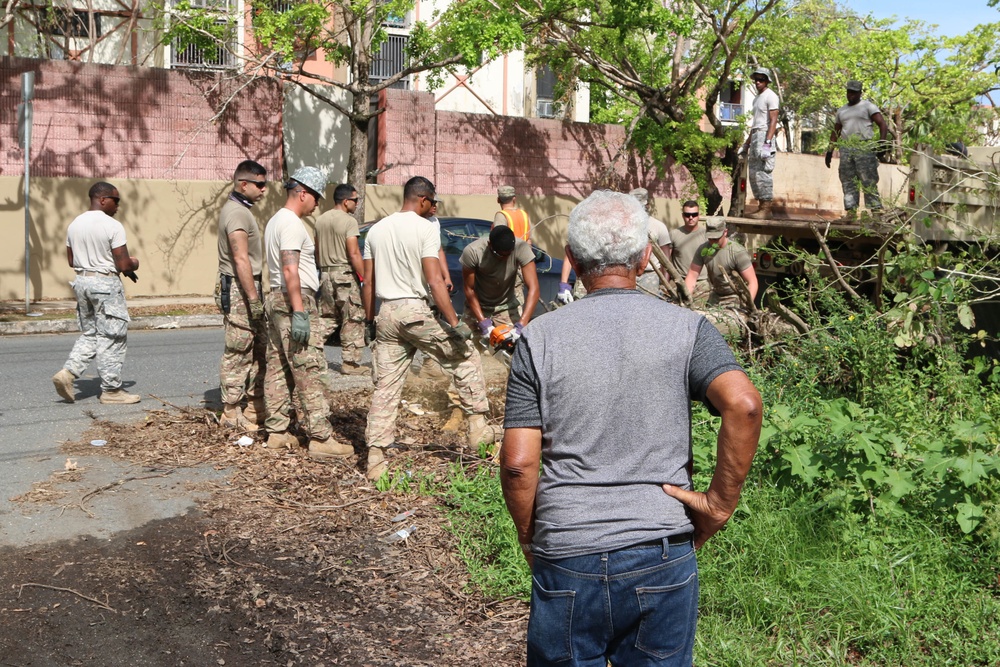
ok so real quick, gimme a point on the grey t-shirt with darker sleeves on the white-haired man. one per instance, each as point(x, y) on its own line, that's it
point(614, 406)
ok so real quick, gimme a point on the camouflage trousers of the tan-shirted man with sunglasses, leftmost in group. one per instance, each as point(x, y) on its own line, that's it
point(241, 371)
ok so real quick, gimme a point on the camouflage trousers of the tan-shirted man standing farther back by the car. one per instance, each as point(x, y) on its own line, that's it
point(340, 306)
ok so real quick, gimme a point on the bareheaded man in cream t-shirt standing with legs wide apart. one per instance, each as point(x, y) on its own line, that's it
point(402, 269)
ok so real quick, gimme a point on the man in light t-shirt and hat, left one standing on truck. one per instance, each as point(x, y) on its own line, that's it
point(759, 145)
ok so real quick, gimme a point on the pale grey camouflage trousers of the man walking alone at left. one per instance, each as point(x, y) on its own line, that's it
point(103, 318)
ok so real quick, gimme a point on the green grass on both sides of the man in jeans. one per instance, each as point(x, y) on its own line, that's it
point(790, 583)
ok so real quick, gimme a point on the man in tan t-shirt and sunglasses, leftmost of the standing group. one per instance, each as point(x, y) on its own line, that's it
point(239, 295)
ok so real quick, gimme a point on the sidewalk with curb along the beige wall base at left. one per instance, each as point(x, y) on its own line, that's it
point(66, 310)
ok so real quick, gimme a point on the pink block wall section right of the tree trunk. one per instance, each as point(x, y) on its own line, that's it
point(474, 153)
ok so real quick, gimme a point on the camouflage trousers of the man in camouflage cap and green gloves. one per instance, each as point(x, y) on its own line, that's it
point(295, 372)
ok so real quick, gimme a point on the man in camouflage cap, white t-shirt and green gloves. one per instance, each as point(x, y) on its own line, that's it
point(295, 359)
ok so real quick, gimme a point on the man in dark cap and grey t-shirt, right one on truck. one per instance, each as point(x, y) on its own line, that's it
point(859, 154)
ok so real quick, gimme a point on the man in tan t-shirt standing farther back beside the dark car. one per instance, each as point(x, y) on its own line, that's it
point(339, 258)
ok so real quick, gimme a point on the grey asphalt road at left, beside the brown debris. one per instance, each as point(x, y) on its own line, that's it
point(180, 366)
